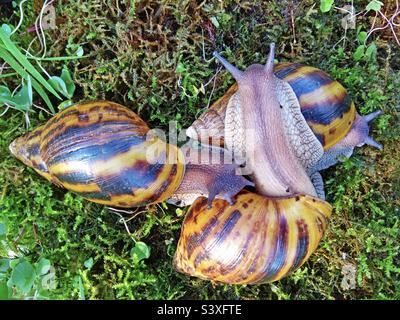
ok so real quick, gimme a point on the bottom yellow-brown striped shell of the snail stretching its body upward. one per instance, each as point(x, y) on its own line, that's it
point(256, 240)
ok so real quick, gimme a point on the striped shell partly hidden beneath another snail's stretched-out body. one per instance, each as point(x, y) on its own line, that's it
point(325, 105)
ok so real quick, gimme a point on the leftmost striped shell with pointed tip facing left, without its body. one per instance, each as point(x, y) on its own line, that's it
point(100, 150)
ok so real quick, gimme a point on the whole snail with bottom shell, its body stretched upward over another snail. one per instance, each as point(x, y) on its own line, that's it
point(266, 234)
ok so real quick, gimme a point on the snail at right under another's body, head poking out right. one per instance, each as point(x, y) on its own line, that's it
point(325, 105)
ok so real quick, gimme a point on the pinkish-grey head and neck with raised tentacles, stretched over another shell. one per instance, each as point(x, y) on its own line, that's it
point(270, 155)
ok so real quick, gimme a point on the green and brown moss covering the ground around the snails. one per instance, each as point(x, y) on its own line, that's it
point(149, 56)
